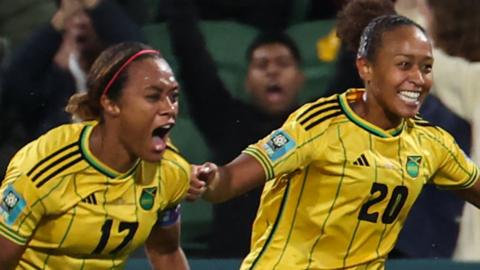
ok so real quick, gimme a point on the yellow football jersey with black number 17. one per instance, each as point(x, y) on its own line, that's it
point(74, 212)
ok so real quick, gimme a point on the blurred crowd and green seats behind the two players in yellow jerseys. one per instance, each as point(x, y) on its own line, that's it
point(47, 46)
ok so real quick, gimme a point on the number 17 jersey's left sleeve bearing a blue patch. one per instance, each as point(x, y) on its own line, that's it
point(21, 208)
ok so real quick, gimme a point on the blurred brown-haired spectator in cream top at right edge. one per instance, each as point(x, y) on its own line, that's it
point(455, 28)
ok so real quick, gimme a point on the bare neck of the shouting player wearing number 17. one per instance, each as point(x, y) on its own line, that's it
point(107, 147)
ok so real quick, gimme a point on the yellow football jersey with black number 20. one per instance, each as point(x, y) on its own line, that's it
point(341, 188)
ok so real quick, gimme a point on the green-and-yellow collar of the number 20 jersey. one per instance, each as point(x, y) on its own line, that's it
point(355, 94)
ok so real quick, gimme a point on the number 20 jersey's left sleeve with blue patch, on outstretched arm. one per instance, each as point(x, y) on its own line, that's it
point(286, 149)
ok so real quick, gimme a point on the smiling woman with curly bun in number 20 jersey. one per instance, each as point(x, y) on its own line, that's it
point(343, 172)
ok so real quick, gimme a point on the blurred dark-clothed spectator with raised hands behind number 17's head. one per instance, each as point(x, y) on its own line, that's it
point(51, 66)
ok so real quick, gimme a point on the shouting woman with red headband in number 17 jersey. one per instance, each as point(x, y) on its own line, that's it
point(106, 185)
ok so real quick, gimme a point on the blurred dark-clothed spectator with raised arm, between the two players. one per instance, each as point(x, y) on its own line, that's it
point(273, 81)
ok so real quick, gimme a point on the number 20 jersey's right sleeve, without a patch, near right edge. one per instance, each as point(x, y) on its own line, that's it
point(455, 170)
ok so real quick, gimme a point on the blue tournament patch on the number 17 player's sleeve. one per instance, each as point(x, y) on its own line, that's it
point(11, 205)
